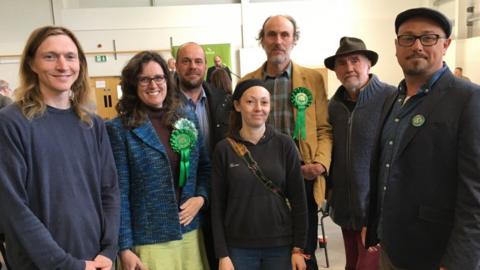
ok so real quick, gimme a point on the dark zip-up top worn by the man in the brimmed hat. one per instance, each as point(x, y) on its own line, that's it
point(353, 137)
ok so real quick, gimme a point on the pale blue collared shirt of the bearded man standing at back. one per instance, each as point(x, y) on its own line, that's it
point(201, 111)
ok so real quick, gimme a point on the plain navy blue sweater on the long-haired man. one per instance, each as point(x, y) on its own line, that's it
point(59, 196)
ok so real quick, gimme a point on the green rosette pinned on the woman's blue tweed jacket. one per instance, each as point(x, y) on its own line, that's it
point(182, 141)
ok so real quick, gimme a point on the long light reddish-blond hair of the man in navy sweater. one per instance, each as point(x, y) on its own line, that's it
point(28, 95)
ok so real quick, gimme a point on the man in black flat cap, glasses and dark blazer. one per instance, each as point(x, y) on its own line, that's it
point(425, 195)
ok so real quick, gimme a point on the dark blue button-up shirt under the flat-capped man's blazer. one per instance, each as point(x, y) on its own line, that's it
point(402, 114)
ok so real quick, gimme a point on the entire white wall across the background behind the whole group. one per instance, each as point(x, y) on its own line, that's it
point(321, 23)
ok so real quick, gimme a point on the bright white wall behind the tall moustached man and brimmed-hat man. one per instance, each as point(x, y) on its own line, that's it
point(323, 23)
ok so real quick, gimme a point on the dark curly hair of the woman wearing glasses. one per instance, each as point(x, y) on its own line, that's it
point(130, 107)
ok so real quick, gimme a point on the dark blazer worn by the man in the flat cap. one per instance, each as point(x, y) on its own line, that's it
point(431, 207)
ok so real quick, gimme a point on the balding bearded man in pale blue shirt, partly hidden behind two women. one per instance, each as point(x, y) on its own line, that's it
point(212, 107)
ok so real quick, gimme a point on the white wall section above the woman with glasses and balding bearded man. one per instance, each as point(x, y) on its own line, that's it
point(152, 32)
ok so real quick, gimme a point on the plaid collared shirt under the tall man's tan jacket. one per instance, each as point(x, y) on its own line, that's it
point(281, 111)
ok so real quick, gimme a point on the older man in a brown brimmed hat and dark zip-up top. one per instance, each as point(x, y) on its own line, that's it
point(354, 112)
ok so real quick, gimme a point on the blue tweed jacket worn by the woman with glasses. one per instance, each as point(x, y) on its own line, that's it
point(149, 211)
